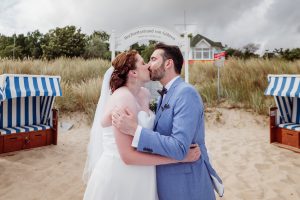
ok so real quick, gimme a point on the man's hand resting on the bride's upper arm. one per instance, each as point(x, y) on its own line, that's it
point(124, 120)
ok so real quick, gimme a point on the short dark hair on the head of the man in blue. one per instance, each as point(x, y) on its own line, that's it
point(171, 52)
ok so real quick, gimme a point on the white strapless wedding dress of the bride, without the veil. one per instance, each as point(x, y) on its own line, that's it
point(112, 179)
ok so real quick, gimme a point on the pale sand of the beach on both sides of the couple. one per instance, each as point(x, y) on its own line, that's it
point(237, 140)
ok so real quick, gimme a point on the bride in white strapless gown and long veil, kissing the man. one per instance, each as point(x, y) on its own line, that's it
point(114, 170)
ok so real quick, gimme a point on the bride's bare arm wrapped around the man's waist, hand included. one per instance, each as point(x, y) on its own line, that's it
point(132, 157)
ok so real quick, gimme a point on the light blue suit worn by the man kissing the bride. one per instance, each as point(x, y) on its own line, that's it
point(179, 123)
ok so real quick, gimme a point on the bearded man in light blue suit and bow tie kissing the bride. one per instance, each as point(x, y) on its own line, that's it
point(179, 123)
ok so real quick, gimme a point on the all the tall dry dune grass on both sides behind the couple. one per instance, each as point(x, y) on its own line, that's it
point(242, 82)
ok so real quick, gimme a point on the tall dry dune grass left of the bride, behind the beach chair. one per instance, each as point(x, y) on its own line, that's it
point(80, 80)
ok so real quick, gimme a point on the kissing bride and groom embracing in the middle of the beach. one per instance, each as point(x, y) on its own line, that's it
point(135, 154)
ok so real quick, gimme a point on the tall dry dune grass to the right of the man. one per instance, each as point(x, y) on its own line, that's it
point(242, 82)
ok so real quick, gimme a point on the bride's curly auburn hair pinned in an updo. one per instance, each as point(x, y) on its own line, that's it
point(122, 64)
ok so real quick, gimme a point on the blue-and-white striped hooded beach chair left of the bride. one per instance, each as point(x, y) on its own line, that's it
point(27, 119)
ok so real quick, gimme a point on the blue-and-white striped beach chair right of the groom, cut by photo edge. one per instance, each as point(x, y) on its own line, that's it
point(285, 117)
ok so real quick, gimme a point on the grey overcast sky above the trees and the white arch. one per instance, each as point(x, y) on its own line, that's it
point(270, 23)
